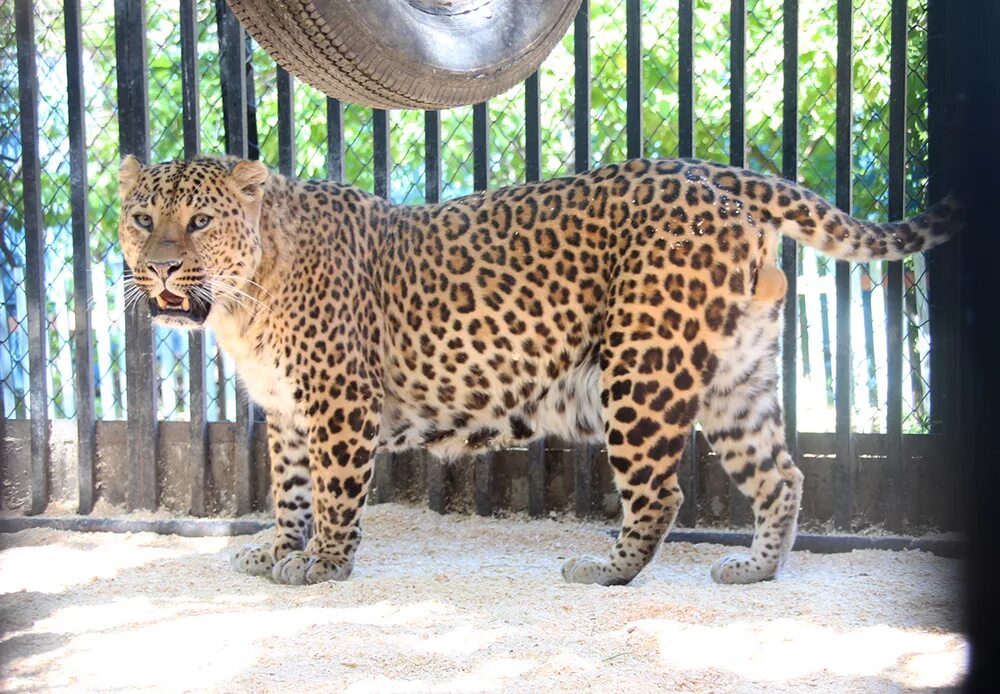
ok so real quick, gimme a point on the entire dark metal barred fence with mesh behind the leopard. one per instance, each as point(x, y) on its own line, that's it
point(838, 94)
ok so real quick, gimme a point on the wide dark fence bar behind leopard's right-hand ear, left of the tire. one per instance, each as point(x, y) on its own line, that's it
point(232, 56)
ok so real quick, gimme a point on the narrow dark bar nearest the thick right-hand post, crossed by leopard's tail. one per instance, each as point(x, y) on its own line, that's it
point(896, 465)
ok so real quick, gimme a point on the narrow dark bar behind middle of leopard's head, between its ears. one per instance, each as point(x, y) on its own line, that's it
point(197, 395)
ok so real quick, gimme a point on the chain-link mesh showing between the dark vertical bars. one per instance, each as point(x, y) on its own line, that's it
point(506, 163)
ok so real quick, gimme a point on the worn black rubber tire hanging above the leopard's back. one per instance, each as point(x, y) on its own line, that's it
point(426, 54)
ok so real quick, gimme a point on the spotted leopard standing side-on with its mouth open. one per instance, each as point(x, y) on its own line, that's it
point(615, 307)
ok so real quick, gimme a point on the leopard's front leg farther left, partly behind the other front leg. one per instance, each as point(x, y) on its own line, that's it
point(291, 496)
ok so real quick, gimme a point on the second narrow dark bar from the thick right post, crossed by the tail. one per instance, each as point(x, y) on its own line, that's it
point(843, 477)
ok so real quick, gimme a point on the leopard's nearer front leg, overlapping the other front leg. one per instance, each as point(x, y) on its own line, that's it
point(342, 438)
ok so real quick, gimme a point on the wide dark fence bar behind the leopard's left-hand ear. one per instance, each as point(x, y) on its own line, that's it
point(133, 128)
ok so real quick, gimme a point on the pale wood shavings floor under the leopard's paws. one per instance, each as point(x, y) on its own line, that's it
point(456, 604)
